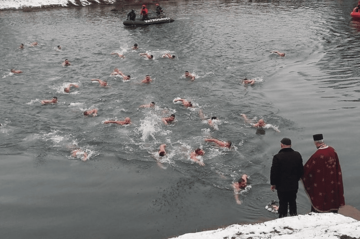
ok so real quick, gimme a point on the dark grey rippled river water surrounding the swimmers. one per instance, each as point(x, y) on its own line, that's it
point(122, 191)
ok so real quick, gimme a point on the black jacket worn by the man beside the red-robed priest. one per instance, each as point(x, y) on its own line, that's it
point(286, 170)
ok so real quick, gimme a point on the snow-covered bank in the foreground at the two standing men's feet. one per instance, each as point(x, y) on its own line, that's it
point(313, 225)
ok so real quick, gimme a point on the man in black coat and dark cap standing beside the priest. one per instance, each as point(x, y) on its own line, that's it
point(286, 171)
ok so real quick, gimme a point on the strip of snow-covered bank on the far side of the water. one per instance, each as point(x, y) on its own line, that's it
point(20, 4)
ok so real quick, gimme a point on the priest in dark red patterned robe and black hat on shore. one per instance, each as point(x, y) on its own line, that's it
point(323, 178)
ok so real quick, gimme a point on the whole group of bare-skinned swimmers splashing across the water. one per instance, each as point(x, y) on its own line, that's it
point(194, 155)
